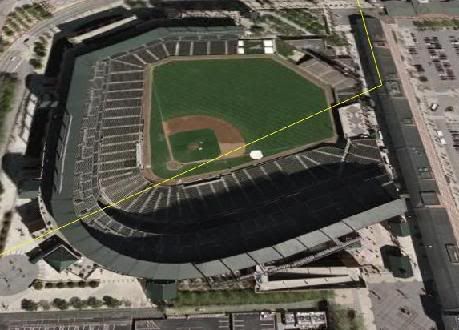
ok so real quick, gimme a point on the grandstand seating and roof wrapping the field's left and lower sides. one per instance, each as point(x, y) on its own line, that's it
point(273, 212)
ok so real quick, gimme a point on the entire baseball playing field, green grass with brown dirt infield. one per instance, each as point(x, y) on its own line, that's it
point(202, 108)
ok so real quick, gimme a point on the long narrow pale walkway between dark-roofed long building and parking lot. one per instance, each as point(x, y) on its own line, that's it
point(446, 197)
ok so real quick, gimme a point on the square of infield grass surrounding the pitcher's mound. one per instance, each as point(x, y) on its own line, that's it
point(195, 145)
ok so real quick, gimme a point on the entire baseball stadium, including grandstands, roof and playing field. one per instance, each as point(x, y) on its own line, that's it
point(149, 156)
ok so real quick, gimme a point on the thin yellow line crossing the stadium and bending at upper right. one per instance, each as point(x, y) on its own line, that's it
point(152, 186)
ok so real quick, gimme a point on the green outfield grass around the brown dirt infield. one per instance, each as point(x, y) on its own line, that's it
point(257, 96)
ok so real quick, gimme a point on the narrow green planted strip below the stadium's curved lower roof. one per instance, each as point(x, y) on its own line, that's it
point(246, 296)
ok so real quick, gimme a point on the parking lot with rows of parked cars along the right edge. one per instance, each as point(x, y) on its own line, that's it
point(432, 59)
